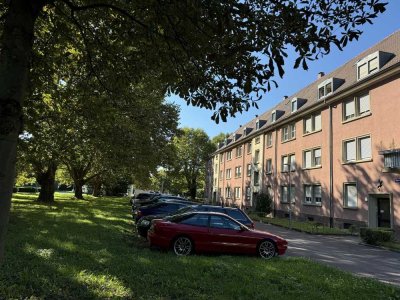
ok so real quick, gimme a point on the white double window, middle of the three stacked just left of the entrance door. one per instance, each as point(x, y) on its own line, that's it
point(357, 149)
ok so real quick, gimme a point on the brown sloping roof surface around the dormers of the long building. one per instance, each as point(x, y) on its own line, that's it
point(347, 73)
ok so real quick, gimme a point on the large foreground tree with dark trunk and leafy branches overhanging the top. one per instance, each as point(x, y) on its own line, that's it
point(209, 53)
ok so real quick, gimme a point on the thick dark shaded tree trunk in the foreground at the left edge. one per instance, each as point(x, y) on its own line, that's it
point(16, 50)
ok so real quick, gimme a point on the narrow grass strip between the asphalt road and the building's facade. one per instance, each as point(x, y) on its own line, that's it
point(307, 226)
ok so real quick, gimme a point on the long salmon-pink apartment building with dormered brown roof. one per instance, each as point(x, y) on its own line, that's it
point(330, 152)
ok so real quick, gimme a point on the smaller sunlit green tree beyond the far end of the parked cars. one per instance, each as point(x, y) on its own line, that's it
point(193, 148)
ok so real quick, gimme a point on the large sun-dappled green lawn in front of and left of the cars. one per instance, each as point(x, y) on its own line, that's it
point(87, 249)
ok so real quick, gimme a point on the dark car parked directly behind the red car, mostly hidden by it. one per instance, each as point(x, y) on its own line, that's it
point(143, 225)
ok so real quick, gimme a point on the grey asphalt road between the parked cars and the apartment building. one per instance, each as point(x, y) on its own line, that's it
point(343, 252)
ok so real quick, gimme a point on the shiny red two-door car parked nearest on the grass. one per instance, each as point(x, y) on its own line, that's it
point(213, 232)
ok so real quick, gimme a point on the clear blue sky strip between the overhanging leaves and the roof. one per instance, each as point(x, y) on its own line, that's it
point(294, 80)
